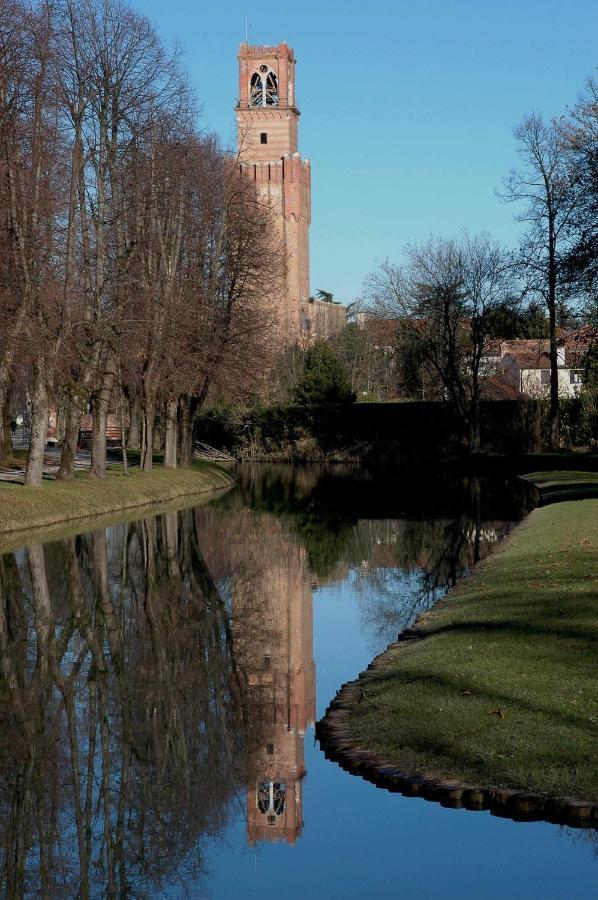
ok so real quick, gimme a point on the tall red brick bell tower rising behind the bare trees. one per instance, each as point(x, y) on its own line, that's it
point(267, 125)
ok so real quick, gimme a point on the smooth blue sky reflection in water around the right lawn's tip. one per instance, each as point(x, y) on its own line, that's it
point(360, 842)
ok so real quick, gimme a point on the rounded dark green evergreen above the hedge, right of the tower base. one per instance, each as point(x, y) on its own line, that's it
point(324, 379)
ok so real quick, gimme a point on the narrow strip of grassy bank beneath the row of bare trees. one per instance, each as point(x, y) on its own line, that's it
point(58, 503)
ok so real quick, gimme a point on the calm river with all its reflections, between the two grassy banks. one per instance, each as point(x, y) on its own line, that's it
point(159, 683)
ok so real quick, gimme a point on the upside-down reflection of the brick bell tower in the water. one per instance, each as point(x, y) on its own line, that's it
point(272, 626)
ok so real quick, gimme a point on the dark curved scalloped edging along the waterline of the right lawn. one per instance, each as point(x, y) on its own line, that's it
point(340, 745)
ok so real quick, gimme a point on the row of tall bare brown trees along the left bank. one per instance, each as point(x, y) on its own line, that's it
point(129, 243)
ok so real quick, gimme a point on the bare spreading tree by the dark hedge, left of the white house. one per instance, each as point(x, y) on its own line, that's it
point(445, 300)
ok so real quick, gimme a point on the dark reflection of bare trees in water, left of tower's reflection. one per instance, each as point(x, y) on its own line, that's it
point(122, 725)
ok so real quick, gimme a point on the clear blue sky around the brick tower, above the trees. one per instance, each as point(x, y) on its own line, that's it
point(407, 108)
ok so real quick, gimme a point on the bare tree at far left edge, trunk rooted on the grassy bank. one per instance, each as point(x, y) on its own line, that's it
point(31, 146)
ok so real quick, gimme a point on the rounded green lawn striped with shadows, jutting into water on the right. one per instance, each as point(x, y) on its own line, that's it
point(502, 691)
